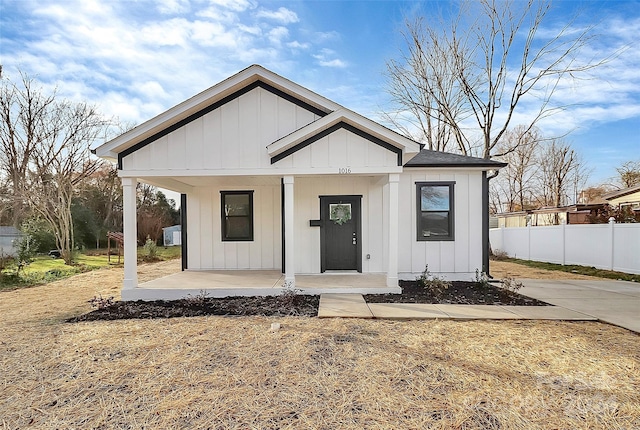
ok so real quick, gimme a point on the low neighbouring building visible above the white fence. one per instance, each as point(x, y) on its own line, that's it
point(572, 214)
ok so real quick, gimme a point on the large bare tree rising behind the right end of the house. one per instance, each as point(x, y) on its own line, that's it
point(466, 78)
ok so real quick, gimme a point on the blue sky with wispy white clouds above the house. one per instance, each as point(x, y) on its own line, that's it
point(136, 58)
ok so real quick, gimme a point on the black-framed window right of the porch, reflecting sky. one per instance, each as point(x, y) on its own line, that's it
point(435, 210)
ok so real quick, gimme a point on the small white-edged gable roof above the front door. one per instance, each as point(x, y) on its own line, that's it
point(342, 119)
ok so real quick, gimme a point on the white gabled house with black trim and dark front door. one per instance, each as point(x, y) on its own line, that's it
point(276, 177)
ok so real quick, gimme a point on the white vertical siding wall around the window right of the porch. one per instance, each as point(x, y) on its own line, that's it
point(454, 260)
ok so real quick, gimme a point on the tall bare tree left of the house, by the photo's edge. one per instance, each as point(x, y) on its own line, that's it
point(47, 152)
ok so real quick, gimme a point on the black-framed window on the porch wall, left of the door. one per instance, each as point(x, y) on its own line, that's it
point(237, 215)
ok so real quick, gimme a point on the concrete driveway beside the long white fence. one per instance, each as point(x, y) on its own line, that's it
point(614, 302)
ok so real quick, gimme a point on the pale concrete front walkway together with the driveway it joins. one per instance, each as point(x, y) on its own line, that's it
point(614, 302)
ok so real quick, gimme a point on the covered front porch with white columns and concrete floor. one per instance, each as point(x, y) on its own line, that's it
point(295, 198)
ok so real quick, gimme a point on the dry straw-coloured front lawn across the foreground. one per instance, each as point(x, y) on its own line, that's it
point(217, 372)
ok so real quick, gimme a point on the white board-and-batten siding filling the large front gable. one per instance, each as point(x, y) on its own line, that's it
point(231, 137)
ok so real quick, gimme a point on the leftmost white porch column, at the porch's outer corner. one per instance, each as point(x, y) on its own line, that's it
point(130, 233)
